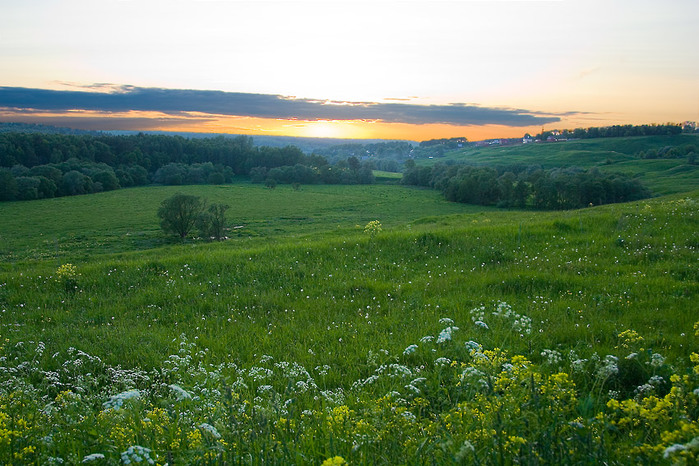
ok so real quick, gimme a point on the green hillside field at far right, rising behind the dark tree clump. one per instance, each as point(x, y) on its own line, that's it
point(662, 176)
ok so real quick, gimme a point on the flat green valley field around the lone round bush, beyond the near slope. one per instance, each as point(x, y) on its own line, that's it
point(126, 219)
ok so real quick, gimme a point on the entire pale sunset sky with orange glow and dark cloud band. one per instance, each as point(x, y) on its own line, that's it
point(389, 69)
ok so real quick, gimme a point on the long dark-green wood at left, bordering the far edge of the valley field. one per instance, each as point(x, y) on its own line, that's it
point(39, 165)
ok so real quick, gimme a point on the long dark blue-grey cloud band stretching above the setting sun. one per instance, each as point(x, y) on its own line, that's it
point(109, 98)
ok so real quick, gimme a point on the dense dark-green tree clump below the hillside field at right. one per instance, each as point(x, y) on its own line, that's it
point(519, 186)
